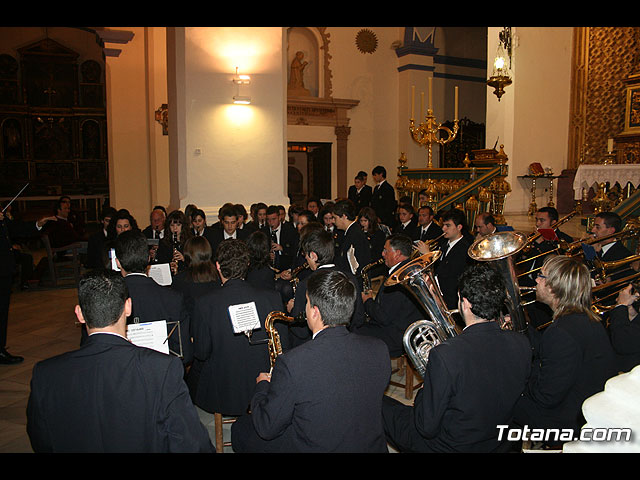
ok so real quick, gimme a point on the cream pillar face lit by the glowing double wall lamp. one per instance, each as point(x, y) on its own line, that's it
point(231, 153)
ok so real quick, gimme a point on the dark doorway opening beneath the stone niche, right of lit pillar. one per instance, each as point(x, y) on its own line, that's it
point(309, 166)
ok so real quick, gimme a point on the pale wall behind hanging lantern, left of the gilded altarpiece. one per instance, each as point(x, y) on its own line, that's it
point(532, 118)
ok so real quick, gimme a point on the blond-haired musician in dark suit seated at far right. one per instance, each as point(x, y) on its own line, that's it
point(574, 358)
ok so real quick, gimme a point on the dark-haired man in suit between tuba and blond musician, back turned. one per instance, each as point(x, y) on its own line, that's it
point(472, 380)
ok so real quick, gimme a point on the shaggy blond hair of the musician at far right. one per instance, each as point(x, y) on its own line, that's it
point(570, 282)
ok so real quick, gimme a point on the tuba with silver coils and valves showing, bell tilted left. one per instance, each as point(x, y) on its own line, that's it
point(421, 336)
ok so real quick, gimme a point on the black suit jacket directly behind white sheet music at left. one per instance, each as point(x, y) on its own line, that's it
point(151, 302)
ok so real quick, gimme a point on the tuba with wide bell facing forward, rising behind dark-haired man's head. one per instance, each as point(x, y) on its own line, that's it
point(499, 248)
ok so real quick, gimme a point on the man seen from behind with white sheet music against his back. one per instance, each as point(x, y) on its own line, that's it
point(231, 361)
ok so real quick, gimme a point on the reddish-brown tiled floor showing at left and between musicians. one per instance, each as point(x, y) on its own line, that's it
point(42, 324)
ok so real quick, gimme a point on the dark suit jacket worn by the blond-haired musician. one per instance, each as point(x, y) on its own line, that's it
point(573, 361)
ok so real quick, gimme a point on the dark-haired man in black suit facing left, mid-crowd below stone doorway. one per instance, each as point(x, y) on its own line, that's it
point(355, 251)
